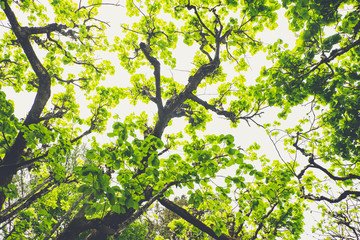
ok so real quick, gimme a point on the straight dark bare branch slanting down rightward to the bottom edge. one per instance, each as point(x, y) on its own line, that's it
point(191, 219)
